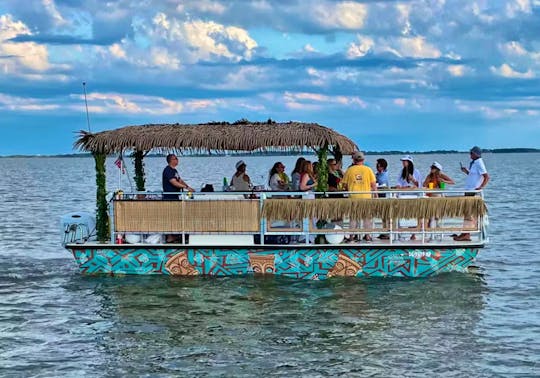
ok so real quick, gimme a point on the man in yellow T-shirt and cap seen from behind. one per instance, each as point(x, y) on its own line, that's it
point(359, 178)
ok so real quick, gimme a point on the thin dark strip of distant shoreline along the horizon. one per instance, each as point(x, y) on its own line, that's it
point(282, 153)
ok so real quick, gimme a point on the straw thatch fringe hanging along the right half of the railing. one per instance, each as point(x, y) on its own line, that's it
point(335, 208)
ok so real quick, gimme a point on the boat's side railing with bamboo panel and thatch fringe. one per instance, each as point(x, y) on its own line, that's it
point(392, 216)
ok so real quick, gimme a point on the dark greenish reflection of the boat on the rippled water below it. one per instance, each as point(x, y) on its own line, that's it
point(233, 325)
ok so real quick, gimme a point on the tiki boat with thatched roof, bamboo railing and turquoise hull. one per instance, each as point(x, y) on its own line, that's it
point(300, 235)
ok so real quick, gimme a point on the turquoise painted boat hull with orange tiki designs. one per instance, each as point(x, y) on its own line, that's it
point(295, 262)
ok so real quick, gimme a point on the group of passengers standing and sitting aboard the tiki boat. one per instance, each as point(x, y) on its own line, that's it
point(357, 178)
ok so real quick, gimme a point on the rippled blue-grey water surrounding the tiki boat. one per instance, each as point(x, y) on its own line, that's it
point(55, 322)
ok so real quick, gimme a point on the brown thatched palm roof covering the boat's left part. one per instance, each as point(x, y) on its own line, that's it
point(239, 136)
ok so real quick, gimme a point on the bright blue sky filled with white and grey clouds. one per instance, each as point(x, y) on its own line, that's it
point(391, 75)
